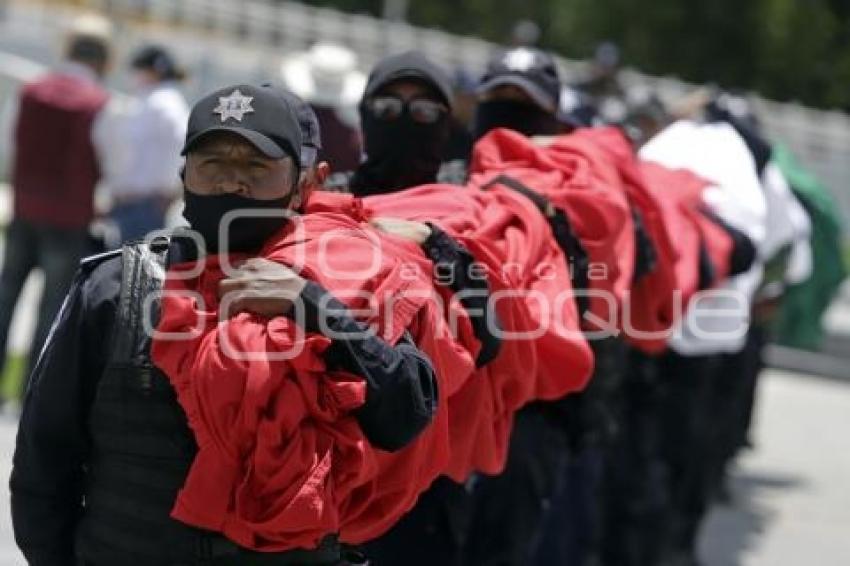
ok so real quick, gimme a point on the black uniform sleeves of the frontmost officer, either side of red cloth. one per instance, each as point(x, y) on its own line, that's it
point(53, 439)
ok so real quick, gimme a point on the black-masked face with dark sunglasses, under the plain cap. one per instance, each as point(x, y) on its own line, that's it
point(405, 129)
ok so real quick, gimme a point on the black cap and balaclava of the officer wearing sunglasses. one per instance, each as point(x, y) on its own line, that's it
point(402, 153)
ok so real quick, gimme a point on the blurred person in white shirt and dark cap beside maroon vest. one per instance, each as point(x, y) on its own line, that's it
point(146, 178)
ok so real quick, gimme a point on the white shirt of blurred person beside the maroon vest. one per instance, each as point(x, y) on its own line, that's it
point(145, 139)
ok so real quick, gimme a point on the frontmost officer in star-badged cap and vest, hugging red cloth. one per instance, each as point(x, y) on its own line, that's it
point(103, 447)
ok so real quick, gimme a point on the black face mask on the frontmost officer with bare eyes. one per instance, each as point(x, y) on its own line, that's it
point(244, 234)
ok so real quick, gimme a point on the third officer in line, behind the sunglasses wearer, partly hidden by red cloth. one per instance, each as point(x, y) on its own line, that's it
point(559, 475)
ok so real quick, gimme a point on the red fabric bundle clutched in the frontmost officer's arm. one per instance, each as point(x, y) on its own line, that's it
point(282, 462)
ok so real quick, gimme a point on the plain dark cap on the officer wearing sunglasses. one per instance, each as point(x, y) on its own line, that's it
point(411, 65)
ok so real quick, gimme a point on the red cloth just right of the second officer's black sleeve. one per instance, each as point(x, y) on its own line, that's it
point(543, 355)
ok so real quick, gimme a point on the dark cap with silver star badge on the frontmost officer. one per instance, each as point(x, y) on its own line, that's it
point(259, 114)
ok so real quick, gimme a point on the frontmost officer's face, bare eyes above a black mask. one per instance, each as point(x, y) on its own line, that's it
point(228, 175)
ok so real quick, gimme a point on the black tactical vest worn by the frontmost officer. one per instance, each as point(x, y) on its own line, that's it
point(142, 448)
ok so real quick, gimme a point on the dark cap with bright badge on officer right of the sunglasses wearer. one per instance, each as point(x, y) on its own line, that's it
point(532, 70)
